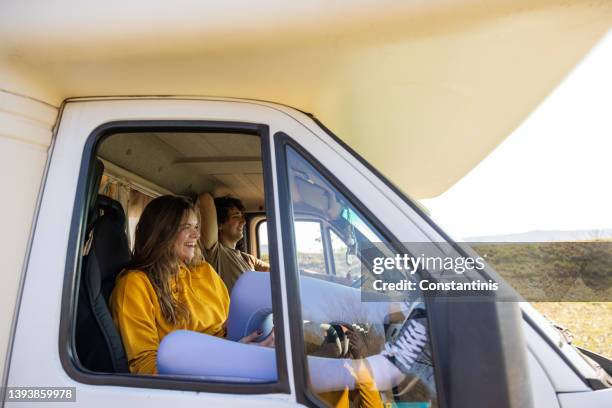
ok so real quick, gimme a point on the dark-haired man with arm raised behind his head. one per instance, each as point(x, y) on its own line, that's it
point(222, 227)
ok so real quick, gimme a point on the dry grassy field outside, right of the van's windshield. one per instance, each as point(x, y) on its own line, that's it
point(568, 282)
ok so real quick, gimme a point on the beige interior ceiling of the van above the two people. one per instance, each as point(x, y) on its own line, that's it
point(190, 163)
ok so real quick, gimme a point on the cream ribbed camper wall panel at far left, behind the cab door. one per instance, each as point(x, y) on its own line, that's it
point(25, 137)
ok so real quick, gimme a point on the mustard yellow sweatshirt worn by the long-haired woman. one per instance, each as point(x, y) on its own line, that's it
point(137, 314)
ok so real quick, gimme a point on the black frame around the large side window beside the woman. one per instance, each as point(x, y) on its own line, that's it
point(72, 273)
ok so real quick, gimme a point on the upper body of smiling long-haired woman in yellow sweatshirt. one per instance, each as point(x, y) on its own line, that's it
point(168, 286)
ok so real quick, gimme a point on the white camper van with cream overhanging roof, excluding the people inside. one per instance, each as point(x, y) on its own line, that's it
point(87, 140)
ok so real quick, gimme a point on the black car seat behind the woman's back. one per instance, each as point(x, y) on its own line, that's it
point(98, 343)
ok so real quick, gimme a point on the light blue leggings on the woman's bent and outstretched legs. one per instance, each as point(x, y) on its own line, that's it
point(195, 354)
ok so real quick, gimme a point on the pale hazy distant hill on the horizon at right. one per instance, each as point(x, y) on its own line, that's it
point(547, 236)
